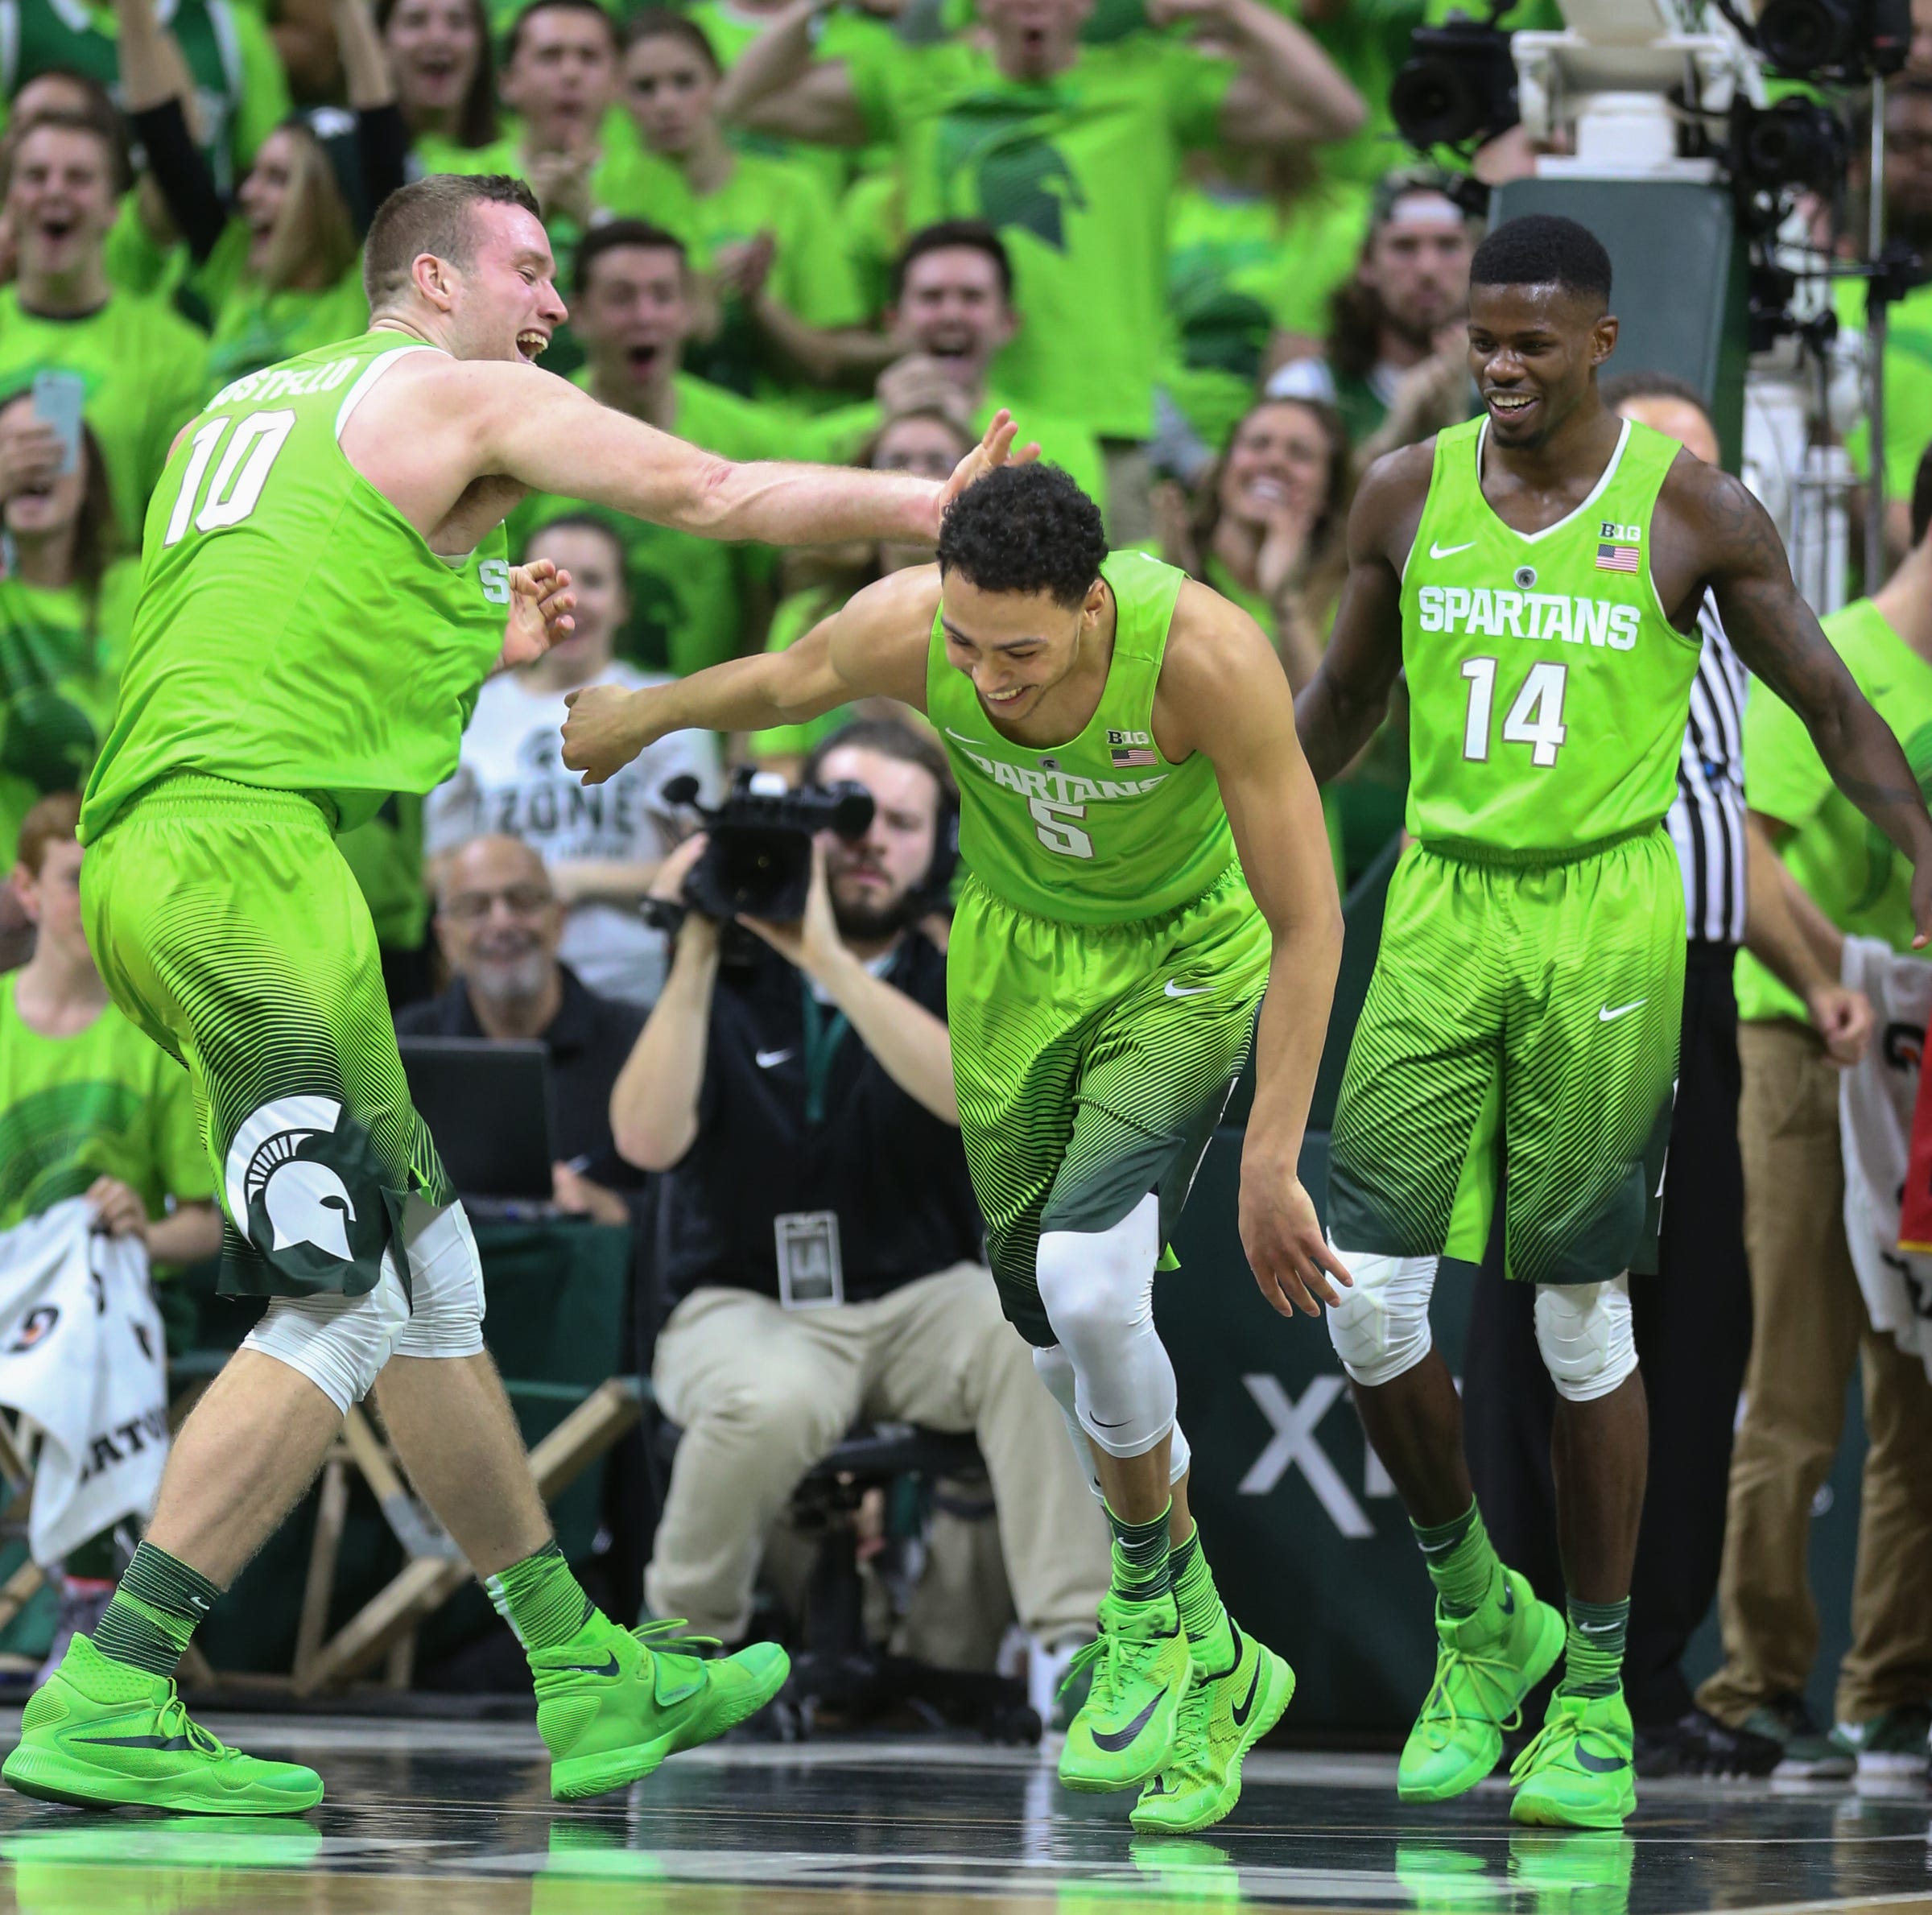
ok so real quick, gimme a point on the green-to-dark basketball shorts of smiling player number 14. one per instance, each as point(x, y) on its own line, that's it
point(1525, 1014)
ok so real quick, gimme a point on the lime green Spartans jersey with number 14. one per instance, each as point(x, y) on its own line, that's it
point(1548, 691)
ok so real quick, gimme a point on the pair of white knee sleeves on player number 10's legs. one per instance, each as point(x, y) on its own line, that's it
point(341, 1344)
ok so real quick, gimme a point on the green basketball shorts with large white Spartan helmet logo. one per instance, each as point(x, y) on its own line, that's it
point(229, 929)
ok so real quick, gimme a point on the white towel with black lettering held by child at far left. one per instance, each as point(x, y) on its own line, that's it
point(82, 1359)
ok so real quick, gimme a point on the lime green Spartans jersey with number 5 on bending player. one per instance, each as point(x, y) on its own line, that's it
point(1100, 830)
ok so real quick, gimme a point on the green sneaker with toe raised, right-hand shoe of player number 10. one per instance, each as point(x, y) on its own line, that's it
point(613, 1703)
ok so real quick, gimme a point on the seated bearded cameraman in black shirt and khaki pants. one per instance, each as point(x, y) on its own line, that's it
point(824, 1249)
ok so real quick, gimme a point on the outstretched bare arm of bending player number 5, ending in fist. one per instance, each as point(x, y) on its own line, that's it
point(872, 648)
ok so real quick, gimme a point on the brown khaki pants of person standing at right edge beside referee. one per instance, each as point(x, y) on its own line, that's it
point(1809, 1329)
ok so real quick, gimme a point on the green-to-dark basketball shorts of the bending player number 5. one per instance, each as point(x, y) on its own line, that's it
point(1093, 1064)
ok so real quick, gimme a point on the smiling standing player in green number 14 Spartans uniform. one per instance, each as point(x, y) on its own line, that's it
point(1539, 573)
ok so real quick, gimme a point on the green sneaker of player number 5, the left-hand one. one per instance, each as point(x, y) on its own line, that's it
point(1125, 1730)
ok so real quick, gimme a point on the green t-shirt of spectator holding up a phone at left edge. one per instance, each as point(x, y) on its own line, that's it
point(61, 658)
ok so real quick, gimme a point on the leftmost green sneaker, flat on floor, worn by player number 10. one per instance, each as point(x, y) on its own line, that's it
point(101, 1734)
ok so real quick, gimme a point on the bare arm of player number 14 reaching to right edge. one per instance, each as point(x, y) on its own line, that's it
point(1778, 637)
